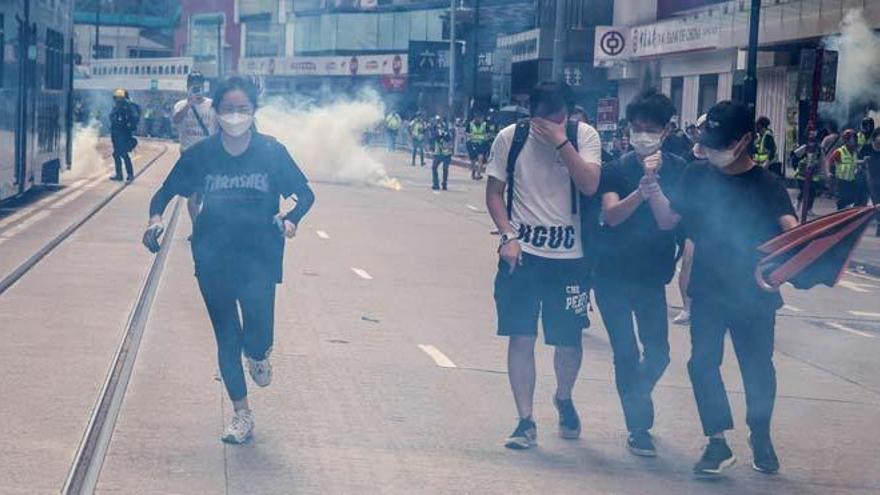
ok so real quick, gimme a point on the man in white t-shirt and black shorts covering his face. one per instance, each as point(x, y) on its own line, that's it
point(541, 274)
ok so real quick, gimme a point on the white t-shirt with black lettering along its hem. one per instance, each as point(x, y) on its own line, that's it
point(542, 210)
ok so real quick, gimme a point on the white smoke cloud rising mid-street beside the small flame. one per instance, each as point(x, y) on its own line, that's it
point(327, 140)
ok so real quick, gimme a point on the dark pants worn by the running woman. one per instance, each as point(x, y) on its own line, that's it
point(251, 330)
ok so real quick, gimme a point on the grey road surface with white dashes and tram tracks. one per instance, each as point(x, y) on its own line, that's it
point(388, 376)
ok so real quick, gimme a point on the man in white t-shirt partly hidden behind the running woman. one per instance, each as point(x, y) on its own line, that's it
point(195, 120)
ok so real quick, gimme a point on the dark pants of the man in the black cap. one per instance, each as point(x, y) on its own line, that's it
point(752, 331)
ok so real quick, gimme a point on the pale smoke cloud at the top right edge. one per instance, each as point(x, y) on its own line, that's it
point(858, 70)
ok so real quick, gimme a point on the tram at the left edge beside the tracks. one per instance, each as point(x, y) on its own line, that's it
point(36, 93)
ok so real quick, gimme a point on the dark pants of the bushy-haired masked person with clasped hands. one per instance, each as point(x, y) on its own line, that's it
point(635, 372)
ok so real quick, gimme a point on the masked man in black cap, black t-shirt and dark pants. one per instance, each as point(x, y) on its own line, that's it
point(728, 206)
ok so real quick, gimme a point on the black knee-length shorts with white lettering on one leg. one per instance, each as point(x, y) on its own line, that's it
point(556, 291)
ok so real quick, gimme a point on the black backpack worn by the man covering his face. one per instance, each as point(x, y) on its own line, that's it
point(590, 206)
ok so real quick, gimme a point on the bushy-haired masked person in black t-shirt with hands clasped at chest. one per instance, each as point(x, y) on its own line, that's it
point(637, 260)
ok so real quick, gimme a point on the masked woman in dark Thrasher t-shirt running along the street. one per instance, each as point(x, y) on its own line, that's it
point(238, 238)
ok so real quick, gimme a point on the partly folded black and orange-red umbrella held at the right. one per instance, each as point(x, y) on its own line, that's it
point(814, 253)
